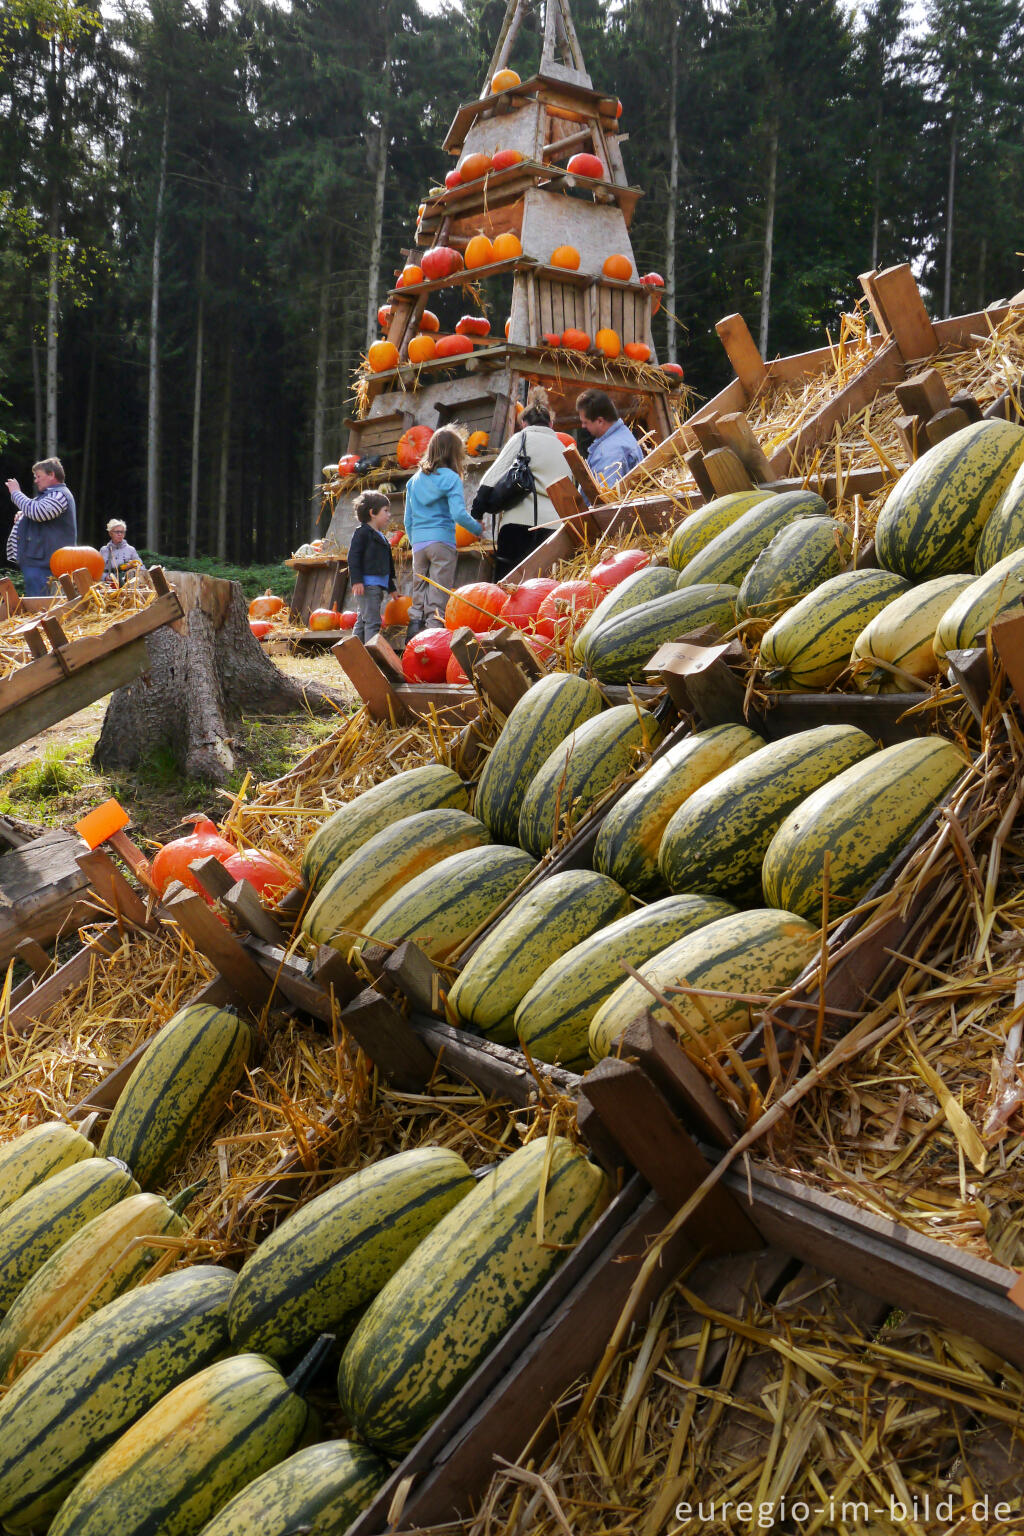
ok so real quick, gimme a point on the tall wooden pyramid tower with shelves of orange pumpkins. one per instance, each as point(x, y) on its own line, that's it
point(532, 225)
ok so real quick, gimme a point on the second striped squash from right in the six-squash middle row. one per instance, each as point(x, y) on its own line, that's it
point(553, 1019)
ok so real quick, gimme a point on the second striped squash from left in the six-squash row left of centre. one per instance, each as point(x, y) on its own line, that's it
point(389, 861)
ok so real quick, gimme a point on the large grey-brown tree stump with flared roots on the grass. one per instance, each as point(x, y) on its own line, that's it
point(205, 675)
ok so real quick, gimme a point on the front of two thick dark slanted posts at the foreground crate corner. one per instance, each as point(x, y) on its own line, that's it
point(639, 1119)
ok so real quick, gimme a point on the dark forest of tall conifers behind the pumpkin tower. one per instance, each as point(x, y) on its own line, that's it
point(202, 207)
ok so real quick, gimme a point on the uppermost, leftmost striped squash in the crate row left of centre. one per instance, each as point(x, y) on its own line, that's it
point(429, 789)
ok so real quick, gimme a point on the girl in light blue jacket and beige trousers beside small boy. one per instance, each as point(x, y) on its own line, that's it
point(435, 503)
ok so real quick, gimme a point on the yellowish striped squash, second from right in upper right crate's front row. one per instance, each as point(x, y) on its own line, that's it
point(896, 654)
